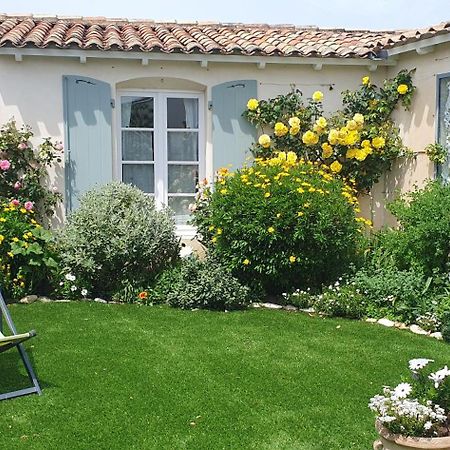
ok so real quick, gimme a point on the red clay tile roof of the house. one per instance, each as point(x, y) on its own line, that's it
point(207, 38)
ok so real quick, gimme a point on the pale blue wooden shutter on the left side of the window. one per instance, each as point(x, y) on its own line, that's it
point(88, 117)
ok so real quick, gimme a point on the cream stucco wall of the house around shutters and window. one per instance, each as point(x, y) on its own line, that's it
point(31, 92)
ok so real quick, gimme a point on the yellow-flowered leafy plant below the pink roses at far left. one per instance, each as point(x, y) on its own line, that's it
point(27, 256)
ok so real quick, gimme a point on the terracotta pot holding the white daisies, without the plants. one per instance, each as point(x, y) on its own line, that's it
point(389, 441)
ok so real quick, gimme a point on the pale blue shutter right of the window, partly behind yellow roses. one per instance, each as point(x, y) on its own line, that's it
point(232, 133)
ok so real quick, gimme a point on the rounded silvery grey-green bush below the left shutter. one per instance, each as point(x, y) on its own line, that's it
point(117, 235)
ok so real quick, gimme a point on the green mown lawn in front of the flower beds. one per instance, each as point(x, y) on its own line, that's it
point(128, 377)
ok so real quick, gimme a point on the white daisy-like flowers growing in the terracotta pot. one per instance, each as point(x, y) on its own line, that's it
point(419, 408)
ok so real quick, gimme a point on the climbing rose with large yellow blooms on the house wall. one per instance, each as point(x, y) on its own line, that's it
point(358, 142)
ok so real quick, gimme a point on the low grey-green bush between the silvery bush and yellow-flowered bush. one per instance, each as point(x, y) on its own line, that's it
point(206, 285)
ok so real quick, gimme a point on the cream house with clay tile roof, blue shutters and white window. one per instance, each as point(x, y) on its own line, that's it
point(159, 105)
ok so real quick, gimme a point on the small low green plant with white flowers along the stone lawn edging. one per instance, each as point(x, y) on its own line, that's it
point(341, 301)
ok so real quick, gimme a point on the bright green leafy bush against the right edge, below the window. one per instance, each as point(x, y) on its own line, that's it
point(422, 240)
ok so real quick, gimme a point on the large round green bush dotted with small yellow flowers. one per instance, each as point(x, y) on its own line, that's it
point(282, 223)
